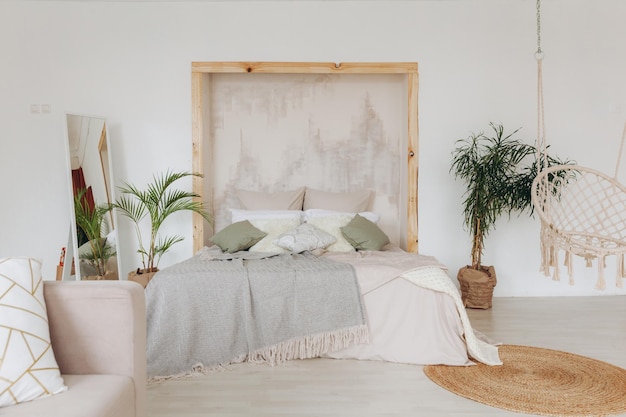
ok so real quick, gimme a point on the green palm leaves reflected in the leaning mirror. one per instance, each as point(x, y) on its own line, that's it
point(92, 226)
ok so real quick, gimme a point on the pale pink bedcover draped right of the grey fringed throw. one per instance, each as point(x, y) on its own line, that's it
point(409, 323)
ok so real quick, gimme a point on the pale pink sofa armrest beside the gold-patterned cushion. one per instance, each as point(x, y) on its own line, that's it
point(99, 328)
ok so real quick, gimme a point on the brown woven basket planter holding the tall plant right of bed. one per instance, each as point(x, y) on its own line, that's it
point(477, 286)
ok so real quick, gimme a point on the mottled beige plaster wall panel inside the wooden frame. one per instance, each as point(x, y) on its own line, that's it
point(277, 132)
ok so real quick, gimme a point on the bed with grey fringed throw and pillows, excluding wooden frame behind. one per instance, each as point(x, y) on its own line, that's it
point(279, 285)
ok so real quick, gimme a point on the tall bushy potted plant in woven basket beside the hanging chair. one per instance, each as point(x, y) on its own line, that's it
point(498, 171)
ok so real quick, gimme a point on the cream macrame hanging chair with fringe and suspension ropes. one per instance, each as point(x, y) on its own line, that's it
point(582, 210)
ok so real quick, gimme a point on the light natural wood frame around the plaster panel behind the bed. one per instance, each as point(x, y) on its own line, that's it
point(201, 73)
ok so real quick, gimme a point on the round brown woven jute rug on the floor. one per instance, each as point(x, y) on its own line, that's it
point(539, 381)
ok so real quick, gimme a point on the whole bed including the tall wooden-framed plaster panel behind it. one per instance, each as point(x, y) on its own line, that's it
point(293, 149)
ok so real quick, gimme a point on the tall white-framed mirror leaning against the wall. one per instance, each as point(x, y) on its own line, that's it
point(92, 248)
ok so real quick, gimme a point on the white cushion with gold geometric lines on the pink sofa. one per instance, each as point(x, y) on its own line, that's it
point(28, 369)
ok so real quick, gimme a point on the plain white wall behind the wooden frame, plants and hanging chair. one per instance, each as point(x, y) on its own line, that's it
point(130, 62)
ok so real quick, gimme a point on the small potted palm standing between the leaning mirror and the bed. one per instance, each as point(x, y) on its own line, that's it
point(154, 205)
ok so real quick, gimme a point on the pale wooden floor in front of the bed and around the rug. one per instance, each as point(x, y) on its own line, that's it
point(590, 326)
